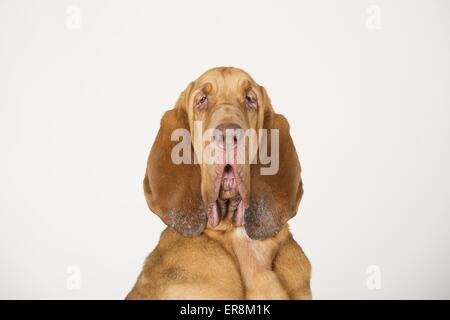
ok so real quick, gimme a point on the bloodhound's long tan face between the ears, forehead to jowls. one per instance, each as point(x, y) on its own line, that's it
point(227, 103)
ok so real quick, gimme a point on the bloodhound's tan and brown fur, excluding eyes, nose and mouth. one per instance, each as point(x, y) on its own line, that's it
point(193, 260)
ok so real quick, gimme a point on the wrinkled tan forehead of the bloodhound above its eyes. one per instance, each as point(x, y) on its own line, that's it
point(225, 81)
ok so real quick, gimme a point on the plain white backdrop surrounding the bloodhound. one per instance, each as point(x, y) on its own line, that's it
point(368, 103)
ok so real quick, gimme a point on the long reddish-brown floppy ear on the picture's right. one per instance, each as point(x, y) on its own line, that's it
point(274, 197)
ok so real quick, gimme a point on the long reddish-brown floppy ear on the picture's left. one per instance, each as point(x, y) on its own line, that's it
point(172, 190)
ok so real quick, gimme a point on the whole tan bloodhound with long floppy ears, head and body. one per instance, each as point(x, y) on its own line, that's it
point(227, 234)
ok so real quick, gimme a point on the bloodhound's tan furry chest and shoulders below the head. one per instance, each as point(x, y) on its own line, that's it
point(224, 264)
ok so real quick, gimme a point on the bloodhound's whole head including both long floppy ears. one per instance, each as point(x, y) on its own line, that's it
point(224, 111)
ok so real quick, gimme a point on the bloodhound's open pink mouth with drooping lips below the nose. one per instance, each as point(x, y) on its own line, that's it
point(229, 201)
